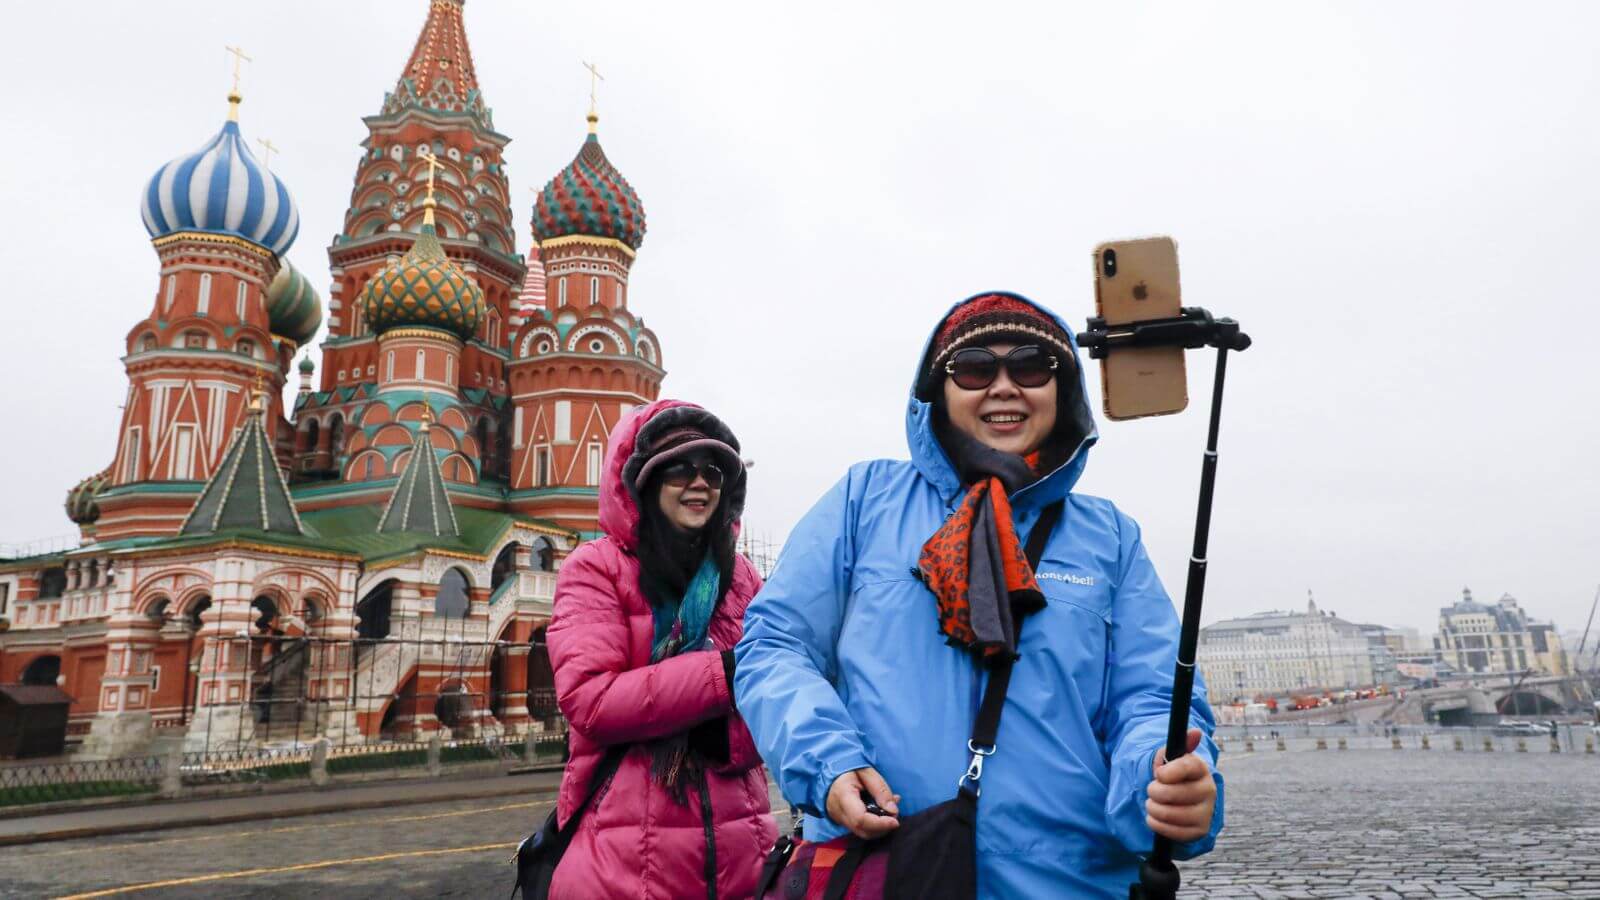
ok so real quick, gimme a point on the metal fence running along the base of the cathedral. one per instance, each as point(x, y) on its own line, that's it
point(276, 709)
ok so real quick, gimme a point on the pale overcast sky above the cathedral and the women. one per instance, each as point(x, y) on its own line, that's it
point(1399, 201)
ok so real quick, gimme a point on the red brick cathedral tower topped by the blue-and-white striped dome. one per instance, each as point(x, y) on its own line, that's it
point(220, 223)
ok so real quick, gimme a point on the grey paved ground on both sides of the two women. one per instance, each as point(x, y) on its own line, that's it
point(1314, 824)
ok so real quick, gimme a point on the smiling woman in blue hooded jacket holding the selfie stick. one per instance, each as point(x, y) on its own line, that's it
point(860, 664)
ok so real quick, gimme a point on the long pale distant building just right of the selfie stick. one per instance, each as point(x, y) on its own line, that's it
point(1284, 653)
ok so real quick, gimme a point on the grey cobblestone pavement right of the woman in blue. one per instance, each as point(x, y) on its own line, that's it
point(1406, 824)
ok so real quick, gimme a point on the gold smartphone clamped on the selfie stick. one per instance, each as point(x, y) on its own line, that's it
point(1137, 281)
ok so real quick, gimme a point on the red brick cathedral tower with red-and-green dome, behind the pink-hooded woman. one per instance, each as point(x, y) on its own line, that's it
point(585, 360)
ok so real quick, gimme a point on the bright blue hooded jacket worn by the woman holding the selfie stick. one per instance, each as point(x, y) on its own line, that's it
point(842, 665)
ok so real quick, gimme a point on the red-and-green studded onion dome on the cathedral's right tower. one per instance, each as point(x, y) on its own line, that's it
point(590, 198)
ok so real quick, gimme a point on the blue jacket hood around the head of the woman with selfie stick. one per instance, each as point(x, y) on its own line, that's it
point(1074, 425)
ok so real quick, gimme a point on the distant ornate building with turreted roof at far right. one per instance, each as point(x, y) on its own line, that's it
point(1497, 640)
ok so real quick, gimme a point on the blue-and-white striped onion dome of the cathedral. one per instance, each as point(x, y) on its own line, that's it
point(222, 188)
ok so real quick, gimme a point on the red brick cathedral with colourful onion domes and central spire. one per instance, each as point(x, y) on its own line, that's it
point(425, 486)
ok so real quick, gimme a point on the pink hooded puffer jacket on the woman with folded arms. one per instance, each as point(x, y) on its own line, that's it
point(636, 842)
